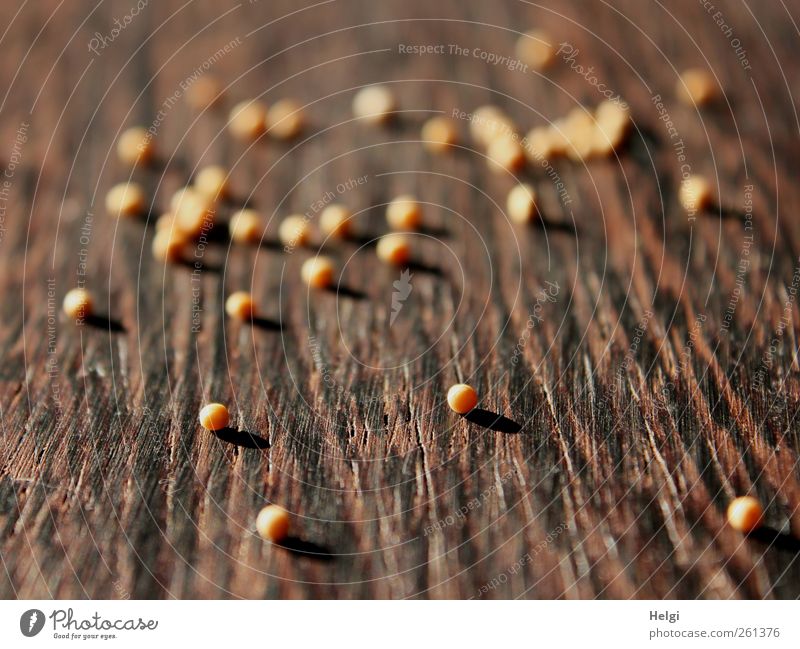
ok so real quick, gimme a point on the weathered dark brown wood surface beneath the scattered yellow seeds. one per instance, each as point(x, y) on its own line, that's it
point(647, 359)
